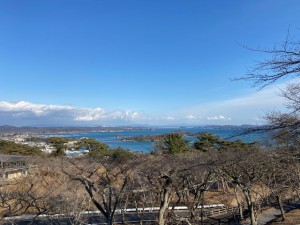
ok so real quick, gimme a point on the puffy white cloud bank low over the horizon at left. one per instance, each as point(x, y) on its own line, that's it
point(30, 112)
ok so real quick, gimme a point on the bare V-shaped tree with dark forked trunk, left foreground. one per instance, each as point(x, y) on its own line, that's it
point(104, 181)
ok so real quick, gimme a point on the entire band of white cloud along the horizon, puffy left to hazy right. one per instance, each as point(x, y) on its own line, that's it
point(235, 111)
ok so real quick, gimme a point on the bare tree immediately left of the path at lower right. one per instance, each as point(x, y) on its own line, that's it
point(246, 169)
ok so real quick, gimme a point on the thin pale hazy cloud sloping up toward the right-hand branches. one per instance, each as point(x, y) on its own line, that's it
point(239, 110)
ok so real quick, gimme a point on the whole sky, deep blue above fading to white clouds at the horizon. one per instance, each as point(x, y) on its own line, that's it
point(121, 62)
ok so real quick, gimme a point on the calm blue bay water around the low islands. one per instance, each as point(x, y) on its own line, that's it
point(113, 138)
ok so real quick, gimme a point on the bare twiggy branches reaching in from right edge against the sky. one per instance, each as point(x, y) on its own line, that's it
point(282, 62)
